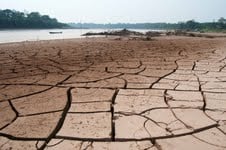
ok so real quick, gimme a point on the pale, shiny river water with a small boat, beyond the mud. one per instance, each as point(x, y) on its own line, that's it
point(7, 36)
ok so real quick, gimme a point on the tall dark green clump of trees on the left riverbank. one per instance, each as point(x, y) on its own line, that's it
point(10, 19)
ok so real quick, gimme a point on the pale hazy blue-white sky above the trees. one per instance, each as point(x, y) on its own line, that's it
point(126, 11)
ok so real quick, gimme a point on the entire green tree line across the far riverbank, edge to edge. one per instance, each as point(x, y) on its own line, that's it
point(10, 19)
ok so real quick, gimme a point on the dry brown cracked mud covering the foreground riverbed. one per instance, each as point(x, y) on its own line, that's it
point(105, 94)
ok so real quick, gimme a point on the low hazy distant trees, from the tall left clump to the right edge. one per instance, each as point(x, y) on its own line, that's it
point(188, 25)
